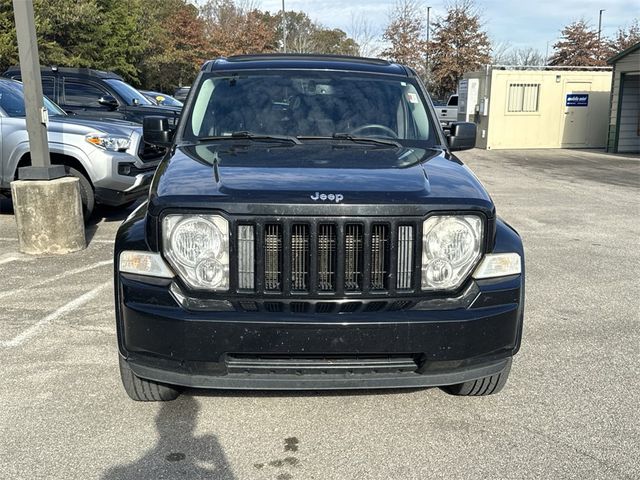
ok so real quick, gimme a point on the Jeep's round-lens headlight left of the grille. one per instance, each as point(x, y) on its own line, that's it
point(197, 246)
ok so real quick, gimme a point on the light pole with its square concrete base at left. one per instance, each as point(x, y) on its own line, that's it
point(46, 203)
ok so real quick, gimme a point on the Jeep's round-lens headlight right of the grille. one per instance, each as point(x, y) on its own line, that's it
point(451, 247)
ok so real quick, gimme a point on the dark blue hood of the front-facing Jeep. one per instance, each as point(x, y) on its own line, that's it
point(260, 173)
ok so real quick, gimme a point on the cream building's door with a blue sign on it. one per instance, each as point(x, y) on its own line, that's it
point(575, 126)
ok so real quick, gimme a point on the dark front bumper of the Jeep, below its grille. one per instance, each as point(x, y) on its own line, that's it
point(448, 343)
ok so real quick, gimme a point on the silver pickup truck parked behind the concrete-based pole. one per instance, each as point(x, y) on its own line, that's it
point(110, 158)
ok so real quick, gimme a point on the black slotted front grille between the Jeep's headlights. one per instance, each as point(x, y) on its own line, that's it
point(327, 256)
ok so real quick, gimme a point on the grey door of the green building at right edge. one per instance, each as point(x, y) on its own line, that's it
point(629, 119)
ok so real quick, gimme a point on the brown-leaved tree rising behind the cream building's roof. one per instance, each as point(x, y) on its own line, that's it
point(579, 46)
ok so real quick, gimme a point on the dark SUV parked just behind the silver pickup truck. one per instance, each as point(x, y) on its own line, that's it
point(96, 94)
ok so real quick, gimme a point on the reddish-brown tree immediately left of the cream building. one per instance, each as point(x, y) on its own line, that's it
point(459, 45)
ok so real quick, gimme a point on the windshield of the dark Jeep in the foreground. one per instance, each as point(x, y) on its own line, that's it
point(311, 104)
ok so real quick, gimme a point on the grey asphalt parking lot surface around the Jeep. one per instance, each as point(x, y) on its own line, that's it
point(570, 409)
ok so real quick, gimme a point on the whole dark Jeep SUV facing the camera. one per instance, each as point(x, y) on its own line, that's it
point(309, 229)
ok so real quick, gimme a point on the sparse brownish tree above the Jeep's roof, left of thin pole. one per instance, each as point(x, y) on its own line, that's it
point(405, 33)
